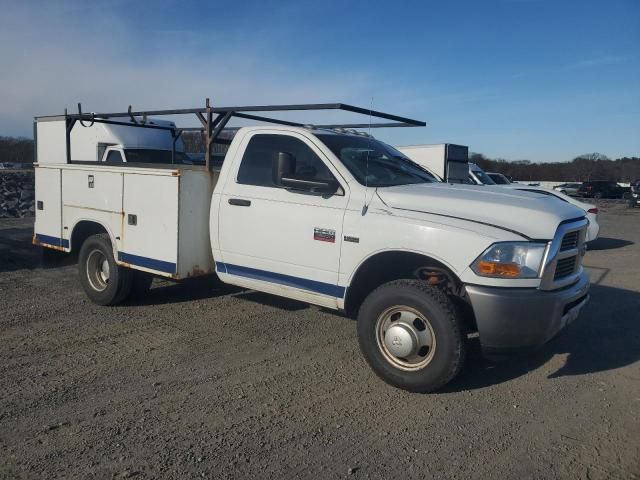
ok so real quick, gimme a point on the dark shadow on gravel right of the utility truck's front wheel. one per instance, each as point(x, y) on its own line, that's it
point(605, 337)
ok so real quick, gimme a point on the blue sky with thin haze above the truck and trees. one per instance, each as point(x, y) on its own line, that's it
point(544, 80)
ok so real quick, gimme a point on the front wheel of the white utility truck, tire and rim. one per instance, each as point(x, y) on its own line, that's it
point(410, 335)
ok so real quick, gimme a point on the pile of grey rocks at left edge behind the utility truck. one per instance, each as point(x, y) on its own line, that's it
point(17, 197)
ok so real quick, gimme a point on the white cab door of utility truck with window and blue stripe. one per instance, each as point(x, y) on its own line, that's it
point(280, 237)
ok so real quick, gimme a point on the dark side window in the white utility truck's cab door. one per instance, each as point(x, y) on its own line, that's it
point(256, 165)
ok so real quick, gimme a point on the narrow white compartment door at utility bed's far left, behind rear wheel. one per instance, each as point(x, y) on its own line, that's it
point(48, 226)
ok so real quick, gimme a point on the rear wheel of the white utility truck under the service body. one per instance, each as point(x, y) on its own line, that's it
point(104, 282)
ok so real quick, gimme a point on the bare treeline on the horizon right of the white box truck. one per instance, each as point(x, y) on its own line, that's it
point(591, 166)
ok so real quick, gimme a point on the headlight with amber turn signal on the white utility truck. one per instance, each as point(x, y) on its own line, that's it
point(510, 260)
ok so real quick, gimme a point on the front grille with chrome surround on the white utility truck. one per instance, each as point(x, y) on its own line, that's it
point(563, 262)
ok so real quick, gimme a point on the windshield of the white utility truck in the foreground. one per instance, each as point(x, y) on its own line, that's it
point(374, 163)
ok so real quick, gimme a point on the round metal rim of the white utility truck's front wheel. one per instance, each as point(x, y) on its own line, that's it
point(405, 337)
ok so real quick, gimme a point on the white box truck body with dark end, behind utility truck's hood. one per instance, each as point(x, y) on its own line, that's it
point(446, 160)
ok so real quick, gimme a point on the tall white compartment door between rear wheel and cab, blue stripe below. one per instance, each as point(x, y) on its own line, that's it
point(150, 230)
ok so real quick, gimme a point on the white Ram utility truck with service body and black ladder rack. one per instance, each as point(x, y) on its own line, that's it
point(327, 215)
